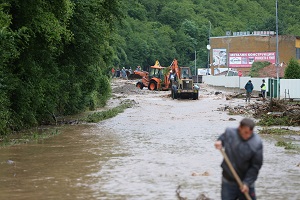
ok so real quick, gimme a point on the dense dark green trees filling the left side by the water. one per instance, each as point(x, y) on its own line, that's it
point(54, 57)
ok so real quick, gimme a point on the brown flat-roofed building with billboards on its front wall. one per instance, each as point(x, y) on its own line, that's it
point(244, 48)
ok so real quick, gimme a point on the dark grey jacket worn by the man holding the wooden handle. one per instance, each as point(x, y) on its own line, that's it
point(246, 156)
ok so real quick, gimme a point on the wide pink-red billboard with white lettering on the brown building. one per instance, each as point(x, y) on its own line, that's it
point(247, 59)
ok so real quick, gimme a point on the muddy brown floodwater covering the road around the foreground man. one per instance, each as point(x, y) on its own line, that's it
point(144, 153)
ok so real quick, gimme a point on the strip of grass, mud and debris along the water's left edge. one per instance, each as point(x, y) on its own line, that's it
point(115, 105)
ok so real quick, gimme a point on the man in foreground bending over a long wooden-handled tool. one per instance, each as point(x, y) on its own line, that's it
point(245, 151)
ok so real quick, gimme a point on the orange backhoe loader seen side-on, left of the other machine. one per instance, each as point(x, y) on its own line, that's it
point(156, 79)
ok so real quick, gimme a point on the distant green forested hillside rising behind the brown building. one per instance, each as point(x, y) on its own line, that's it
point(167, 29)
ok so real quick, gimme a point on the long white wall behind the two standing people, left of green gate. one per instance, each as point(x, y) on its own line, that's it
point(233, 81)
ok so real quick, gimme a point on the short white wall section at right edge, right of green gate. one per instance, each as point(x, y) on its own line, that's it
point(291, 86)
